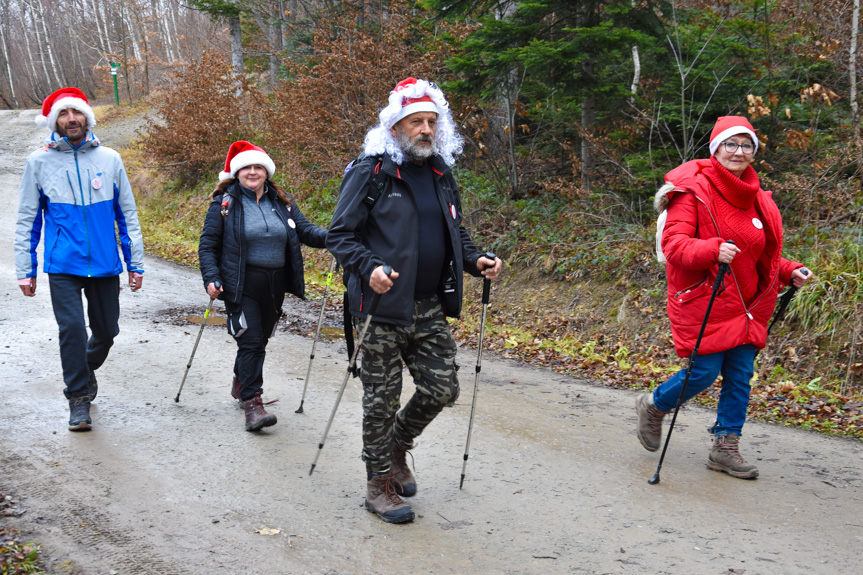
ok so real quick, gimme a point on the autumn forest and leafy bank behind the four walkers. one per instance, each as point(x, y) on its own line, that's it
point(572, 113)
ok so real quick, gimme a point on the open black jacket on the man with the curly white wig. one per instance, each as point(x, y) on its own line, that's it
point(362, 239)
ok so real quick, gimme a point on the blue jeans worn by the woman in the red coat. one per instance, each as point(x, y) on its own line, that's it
point(736, 365)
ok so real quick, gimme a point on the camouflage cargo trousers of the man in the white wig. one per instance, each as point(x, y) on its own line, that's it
point(428, 349)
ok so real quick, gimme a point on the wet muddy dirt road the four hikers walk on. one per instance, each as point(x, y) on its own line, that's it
point(556, 481)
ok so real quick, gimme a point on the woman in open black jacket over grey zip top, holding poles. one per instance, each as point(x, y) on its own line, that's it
point(250, 245)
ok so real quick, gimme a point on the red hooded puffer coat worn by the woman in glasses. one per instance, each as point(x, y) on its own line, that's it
point(690, 243)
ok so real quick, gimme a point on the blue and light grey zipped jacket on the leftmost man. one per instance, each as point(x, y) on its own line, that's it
point(77, 194)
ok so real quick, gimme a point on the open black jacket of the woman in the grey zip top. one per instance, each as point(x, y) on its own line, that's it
point(221, 251)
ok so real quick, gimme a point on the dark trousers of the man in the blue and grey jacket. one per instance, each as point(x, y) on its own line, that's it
point(78, 353)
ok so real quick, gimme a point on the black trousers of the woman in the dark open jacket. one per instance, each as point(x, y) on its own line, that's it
point(261, 304)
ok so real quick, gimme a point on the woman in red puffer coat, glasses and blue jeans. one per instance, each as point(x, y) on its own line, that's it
point(710, 202)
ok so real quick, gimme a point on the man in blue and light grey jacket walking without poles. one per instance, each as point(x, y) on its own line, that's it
point(77, 190)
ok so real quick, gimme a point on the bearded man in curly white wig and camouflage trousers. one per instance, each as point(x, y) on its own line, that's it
point(413, 224)
